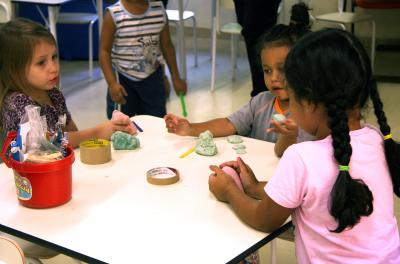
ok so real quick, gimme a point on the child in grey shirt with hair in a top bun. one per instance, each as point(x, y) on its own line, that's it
point(254, 119)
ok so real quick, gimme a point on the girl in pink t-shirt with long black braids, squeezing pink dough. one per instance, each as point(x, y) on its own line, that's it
point(338, 188)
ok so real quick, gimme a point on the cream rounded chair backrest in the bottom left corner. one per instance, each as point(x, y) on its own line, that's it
point(10, 251)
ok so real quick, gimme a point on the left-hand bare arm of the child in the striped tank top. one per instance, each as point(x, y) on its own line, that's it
point(117, 91)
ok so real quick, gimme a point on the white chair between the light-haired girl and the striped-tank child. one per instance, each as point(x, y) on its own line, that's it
point(82, 18)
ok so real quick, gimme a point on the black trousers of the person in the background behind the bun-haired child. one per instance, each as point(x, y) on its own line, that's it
point(256, 17)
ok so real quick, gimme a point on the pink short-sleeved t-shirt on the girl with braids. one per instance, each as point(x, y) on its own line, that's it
point(303, 180)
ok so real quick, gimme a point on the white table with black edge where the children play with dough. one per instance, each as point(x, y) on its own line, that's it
point(116, 216)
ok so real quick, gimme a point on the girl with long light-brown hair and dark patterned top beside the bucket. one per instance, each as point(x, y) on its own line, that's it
point(29, 71)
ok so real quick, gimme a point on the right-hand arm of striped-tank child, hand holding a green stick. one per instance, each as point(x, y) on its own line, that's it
point(168, 51)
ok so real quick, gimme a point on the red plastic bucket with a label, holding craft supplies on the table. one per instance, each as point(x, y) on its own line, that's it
point(41, 185)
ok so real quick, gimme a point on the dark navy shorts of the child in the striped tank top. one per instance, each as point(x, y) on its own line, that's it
point(146, 97)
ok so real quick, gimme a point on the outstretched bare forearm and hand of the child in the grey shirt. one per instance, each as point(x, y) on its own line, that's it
point(219, 127)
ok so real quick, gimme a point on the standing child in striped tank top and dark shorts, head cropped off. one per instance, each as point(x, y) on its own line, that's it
point(134, 41)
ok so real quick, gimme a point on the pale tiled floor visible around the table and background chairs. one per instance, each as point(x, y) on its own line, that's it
point(86, 101)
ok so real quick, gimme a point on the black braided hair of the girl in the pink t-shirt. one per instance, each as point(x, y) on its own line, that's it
point(331, 68)
